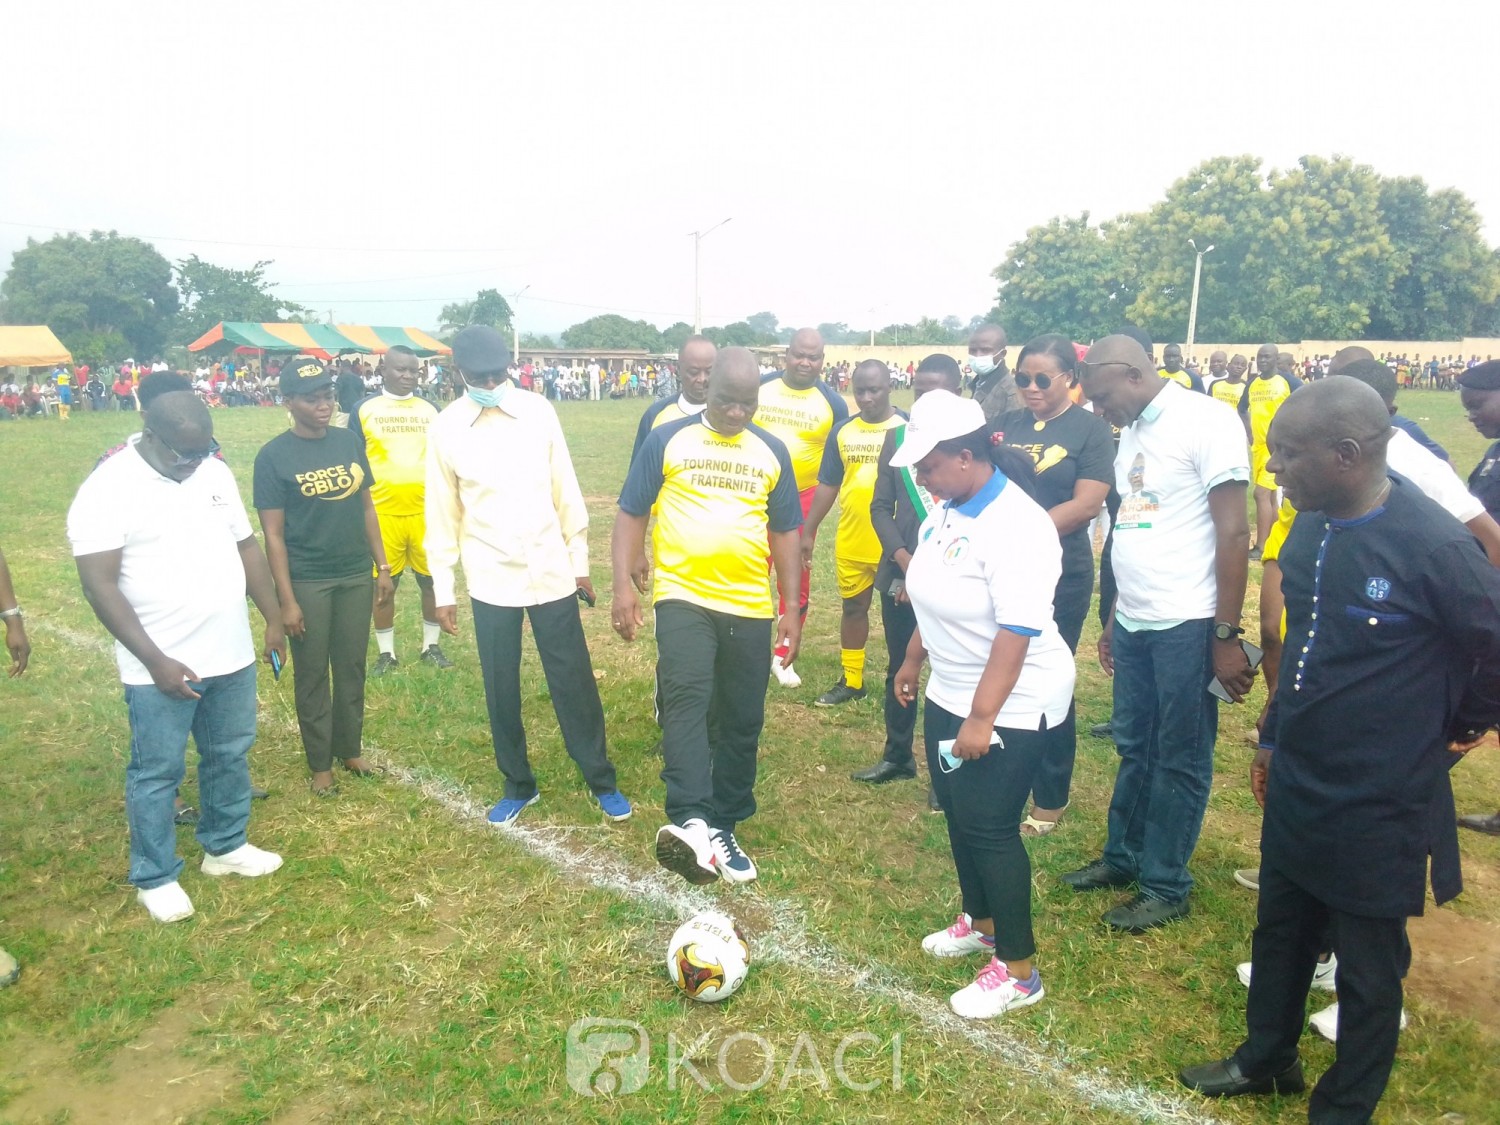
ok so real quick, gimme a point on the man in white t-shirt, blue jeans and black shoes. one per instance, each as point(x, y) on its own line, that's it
point(1181, 548)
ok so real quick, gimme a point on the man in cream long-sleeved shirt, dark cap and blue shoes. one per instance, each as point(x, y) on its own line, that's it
point(503, 497)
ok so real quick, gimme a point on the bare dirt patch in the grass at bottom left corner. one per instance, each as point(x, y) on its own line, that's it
point(148, 1081)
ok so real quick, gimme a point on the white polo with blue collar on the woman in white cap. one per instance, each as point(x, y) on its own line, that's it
point(989, 563)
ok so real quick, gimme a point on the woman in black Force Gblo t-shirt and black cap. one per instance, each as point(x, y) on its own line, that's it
point(313, 491)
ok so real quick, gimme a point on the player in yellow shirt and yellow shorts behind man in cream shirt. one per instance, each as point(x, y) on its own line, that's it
point(394, 430)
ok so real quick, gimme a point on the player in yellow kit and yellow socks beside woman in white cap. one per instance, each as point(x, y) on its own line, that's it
point(851, 463)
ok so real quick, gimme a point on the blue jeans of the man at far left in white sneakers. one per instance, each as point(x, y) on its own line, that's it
point(223, 725)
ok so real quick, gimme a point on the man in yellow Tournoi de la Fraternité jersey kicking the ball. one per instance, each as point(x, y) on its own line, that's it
point(721, 490)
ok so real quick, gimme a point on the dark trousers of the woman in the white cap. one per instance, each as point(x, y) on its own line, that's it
point(985, 800)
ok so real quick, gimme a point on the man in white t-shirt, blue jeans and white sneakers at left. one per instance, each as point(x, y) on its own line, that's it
point(158, 532)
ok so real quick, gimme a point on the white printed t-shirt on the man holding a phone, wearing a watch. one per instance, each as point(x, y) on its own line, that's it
point(1183, 446)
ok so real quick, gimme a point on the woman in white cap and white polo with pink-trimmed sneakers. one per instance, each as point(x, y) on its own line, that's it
point(982, 583)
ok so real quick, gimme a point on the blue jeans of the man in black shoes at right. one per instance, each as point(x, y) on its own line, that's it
point(1165, 727)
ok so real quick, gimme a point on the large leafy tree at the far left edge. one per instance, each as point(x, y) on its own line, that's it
point(94, 292)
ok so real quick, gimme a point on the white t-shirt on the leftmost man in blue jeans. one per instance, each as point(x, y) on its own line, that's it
point(181, 569)
